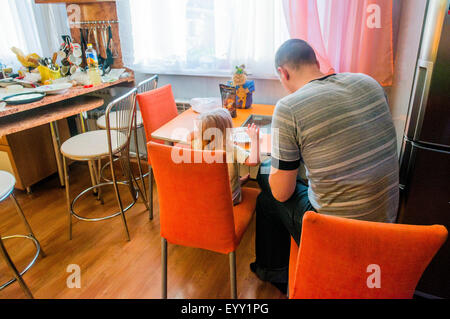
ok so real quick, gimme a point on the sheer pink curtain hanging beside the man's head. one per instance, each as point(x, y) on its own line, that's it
point(354, 36)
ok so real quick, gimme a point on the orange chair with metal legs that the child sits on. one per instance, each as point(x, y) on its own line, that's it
point(202, 215)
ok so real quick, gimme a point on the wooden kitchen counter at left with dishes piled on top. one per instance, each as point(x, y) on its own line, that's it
point(52, 108)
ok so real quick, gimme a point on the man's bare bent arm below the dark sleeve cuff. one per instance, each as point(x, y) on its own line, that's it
point(282, 183)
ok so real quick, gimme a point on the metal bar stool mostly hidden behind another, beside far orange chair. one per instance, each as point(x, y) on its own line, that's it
point(144, 86)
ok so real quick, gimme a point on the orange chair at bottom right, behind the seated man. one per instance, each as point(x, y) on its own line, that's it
point(344, 259)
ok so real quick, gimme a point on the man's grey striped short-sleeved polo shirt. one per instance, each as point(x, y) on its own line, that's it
point(341, 128)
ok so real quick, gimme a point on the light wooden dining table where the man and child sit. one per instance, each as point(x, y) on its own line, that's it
point(178, 129)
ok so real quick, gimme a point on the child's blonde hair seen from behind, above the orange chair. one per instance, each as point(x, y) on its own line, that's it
point(220, 120)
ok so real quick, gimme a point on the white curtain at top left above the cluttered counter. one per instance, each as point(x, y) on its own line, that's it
point(33, 28)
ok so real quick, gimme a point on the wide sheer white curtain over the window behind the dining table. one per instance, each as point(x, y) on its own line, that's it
point(198, 37)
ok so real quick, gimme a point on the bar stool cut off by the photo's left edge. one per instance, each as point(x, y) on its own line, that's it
point(7, 183)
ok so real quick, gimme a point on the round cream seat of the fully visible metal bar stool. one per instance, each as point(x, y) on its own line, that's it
point(92, 145)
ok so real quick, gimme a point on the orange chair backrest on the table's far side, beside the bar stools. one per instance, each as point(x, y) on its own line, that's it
point(157, 108)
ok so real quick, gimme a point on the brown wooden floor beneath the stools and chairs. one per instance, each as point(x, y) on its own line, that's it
point(112, 267)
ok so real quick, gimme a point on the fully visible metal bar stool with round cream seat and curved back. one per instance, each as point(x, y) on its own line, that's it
point(111, 143)
